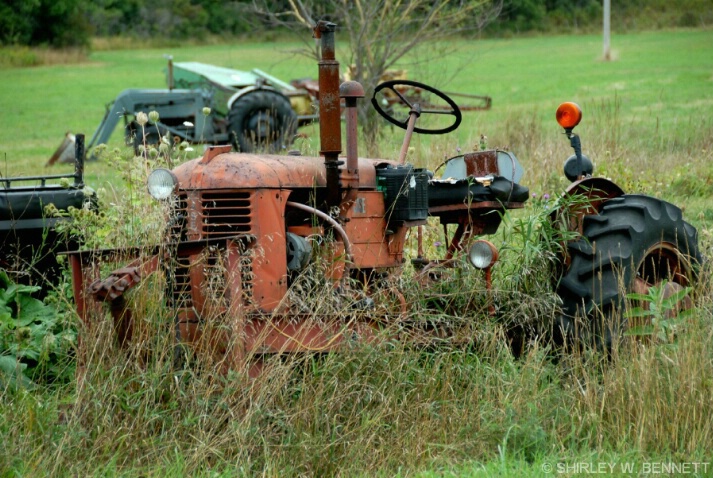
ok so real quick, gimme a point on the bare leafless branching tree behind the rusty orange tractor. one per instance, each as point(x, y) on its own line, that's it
point(382, 34)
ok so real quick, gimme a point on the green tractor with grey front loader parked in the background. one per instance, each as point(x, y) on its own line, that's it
point(250, 110)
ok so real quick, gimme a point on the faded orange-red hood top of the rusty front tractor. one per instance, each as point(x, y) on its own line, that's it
point(240, 170)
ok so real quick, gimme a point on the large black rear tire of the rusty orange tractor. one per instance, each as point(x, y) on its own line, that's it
point(634, 243)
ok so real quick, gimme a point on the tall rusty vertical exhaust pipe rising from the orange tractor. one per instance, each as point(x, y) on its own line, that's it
point(330, 130)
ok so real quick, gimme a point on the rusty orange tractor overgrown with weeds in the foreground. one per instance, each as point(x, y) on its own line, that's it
point(243, 226)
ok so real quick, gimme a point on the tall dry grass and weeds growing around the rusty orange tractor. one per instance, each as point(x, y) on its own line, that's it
point(389, 407)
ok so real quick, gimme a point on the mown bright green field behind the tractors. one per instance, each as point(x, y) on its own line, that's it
point(658, 85)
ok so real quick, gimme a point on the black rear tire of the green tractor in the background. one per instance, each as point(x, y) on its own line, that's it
point(262, 120)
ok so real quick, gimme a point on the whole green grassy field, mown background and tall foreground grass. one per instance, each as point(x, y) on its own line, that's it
point(388, 409)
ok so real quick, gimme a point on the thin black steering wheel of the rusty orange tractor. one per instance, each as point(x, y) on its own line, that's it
point(396, 85)
